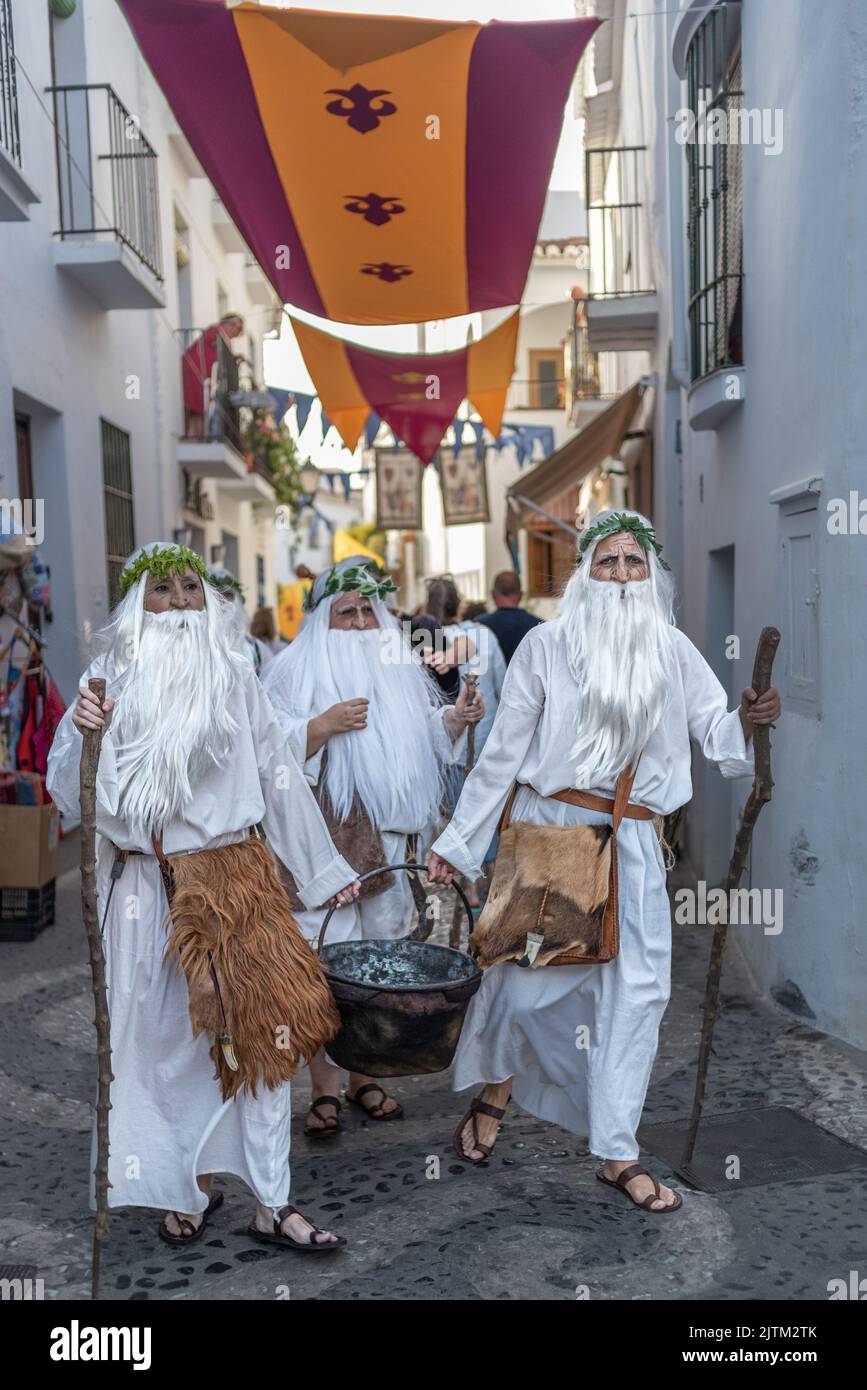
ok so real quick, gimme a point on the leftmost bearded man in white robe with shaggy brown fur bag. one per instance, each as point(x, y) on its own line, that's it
point(192, 761)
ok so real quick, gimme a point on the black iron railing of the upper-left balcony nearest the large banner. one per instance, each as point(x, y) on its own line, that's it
point(106, 172)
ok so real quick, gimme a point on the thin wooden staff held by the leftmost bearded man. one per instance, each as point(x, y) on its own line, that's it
point(90, 764)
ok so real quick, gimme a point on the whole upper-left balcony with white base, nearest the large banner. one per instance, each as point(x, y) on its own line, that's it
point(110, 238)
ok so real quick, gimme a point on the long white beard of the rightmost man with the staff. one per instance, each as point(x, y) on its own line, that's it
point(620, 651)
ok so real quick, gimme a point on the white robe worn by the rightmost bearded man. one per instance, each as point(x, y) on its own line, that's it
point(580, 1042)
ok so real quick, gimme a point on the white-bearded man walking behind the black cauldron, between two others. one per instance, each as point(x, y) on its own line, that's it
point(373, 737)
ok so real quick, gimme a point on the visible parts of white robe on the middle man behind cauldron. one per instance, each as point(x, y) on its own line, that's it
point(388, 915)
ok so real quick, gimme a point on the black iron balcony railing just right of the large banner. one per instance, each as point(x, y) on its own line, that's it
point(616, 222)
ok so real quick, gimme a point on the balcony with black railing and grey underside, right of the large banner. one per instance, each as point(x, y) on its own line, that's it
point(623, 306)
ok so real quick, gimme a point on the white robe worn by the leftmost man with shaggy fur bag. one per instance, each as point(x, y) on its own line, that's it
point(169, 1122)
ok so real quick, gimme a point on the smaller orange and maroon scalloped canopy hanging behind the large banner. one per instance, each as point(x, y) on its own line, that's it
point(416, 394)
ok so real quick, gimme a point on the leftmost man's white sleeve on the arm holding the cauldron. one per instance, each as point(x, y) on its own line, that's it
point(294, 824)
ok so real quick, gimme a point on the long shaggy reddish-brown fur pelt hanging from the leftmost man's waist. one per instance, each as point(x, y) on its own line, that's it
point(229, 908)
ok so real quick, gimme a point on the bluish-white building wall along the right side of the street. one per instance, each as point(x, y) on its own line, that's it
point(804, 415)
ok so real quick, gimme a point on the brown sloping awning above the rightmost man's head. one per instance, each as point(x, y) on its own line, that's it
point(565, 469)
